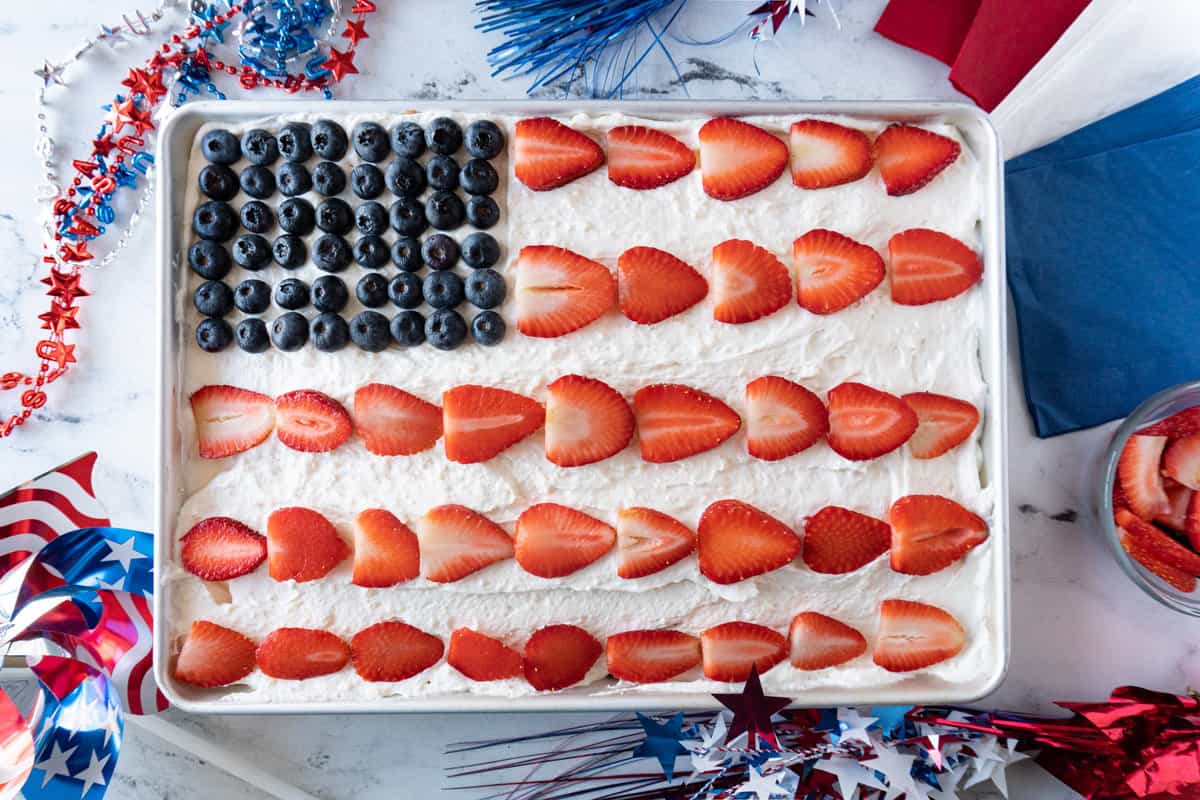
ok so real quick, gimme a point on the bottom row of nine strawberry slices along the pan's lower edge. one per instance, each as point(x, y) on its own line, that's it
point(913, 636)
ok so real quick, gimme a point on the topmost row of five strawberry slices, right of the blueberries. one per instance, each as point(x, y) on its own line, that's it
point(736, 159)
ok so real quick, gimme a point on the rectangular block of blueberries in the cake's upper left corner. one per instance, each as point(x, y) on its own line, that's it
point(217, 224)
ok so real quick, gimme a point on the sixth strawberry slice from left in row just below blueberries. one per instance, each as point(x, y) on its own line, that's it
point(676, 422)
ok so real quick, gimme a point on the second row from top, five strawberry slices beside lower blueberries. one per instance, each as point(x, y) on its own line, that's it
point(560, 291)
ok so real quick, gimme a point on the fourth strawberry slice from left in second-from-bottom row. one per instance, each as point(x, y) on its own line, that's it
point(457, 542)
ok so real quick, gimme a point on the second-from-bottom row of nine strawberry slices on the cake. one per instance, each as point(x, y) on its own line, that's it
point(734, 542)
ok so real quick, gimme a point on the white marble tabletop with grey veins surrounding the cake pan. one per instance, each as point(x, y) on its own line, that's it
point(1079, 627)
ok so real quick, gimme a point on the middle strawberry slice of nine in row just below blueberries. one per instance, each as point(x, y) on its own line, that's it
point(587, 422)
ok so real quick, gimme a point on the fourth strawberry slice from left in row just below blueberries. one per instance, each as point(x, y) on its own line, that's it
point(481, 422)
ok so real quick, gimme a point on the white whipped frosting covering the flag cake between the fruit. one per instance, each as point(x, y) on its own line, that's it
point(896, 348)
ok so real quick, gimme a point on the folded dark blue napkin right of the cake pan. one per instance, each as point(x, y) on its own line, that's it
point(1105, 262)
